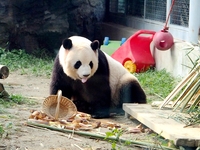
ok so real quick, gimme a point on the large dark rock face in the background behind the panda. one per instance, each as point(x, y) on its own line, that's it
point(33, 25)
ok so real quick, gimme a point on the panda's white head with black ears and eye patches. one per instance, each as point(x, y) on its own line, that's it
point(78, 57)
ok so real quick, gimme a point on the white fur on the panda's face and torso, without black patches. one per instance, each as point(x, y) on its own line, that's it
point(82, 51)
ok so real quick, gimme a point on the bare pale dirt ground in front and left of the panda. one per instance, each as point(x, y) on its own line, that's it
point(22, 137)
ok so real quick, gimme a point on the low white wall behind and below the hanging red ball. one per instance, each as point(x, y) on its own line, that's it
point(175, 60)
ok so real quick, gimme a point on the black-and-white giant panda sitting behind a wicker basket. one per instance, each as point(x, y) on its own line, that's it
point(94, 81)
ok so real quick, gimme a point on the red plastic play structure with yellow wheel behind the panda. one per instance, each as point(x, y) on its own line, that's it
point(135, 54)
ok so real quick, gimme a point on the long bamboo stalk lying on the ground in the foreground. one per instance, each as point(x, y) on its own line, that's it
point(113, 138)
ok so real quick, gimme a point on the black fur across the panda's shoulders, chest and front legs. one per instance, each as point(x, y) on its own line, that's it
point(92, 97)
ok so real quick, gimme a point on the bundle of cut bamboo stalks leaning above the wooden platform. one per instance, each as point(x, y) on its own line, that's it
point(186, 95)
